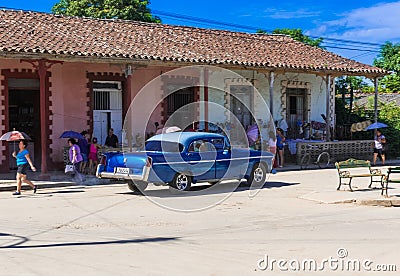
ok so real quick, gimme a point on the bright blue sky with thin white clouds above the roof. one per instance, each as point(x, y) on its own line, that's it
point(364, 21)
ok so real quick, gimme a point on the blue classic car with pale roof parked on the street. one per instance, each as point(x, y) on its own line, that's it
point(181, 159)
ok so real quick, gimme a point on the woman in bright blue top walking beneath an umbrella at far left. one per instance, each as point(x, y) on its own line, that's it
point(23, 161)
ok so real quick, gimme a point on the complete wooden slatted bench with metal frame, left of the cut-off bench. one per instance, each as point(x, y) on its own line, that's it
point(345, 171)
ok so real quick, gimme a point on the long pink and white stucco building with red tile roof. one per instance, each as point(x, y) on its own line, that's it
point(63, 73)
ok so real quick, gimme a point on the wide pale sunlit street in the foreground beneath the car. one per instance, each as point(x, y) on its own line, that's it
point(106, 229)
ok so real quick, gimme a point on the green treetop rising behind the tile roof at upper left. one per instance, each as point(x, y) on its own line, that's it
point(113, 9)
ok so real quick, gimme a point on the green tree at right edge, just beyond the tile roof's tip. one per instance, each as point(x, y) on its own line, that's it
point(389, 59)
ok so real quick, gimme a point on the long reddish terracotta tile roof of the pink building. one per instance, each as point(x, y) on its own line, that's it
point(24, 32)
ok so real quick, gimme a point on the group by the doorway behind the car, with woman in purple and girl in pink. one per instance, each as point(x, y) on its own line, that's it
point(83, 154)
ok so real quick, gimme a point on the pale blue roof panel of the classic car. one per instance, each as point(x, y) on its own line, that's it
point(184, 137)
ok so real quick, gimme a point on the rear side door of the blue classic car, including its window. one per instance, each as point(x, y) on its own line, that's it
point(201, 156)
